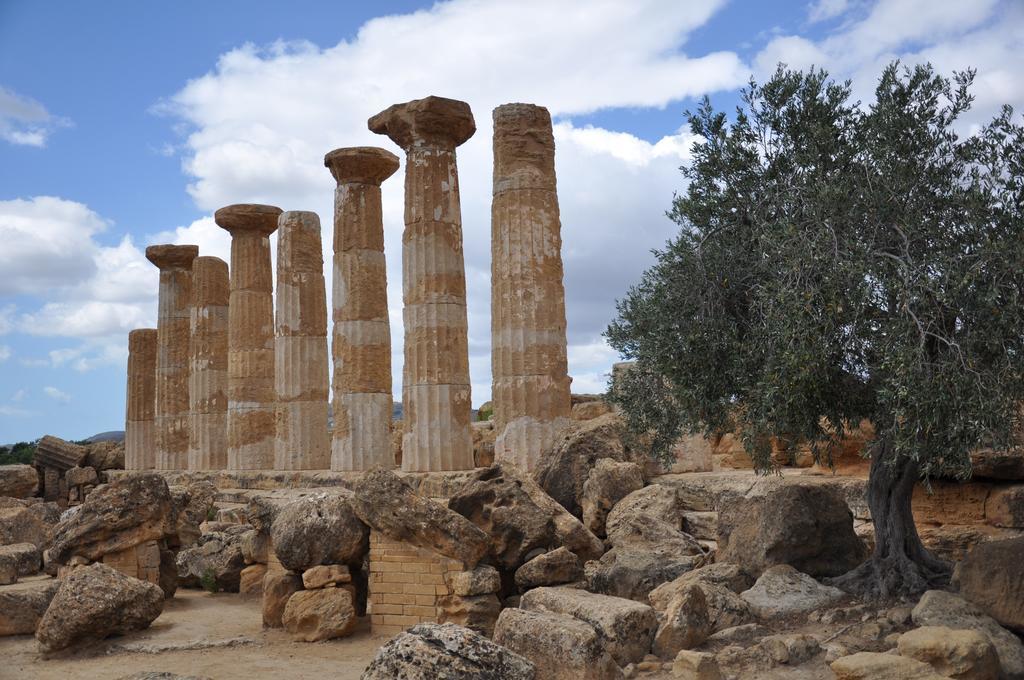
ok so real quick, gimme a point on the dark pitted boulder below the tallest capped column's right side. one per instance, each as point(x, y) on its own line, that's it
point(496, 502)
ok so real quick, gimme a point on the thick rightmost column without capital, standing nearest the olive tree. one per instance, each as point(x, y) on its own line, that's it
point(531, 382)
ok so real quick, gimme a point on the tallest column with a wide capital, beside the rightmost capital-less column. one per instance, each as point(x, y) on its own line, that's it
point(436, 379)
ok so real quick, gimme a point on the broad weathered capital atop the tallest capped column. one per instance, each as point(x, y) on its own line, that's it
point(433, 122)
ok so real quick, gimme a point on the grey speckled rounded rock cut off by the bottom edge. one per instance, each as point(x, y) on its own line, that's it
point(433, 652)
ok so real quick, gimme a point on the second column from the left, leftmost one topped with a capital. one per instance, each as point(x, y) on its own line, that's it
point(173, 418)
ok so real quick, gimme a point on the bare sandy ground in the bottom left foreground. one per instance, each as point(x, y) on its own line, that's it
point(215, 636)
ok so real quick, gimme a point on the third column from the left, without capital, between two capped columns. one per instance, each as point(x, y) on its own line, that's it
point(208, 366)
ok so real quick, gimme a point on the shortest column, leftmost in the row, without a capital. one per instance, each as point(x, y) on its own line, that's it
point(141, 401)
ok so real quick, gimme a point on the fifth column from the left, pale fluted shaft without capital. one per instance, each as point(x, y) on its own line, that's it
point(302, 376)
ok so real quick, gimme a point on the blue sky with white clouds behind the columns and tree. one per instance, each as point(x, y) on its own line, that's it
point(124, 124)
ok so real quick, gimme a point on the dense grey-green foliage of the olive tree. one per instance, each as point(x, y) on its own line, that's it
point(838, 263)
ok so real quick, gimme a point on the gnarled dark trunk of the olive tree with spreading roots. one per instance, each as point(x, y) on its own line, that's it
point(901, 566)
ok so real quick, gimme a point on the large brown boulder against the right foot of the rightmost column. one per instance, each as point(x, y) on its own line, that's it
point(563, 472)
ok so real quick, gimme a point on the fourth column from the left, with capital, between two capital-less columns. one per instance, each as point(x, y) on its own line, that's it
point(250, 336)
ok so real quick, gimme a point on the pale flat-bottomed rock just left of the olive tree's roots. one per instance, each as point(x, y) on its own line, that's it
point(783, 591)
